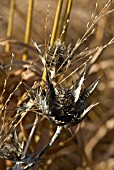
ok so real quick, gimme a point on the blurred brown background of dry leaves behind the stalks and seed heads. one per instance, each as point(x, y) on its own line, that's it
point(92, 146)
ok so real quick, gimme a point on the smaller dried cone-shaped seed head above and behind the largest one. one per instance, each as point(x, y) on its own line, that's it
point(55, 56)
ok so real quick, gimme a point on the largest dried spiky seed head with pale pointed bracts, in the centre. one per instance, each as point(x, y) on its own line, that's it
point(65, 106)
